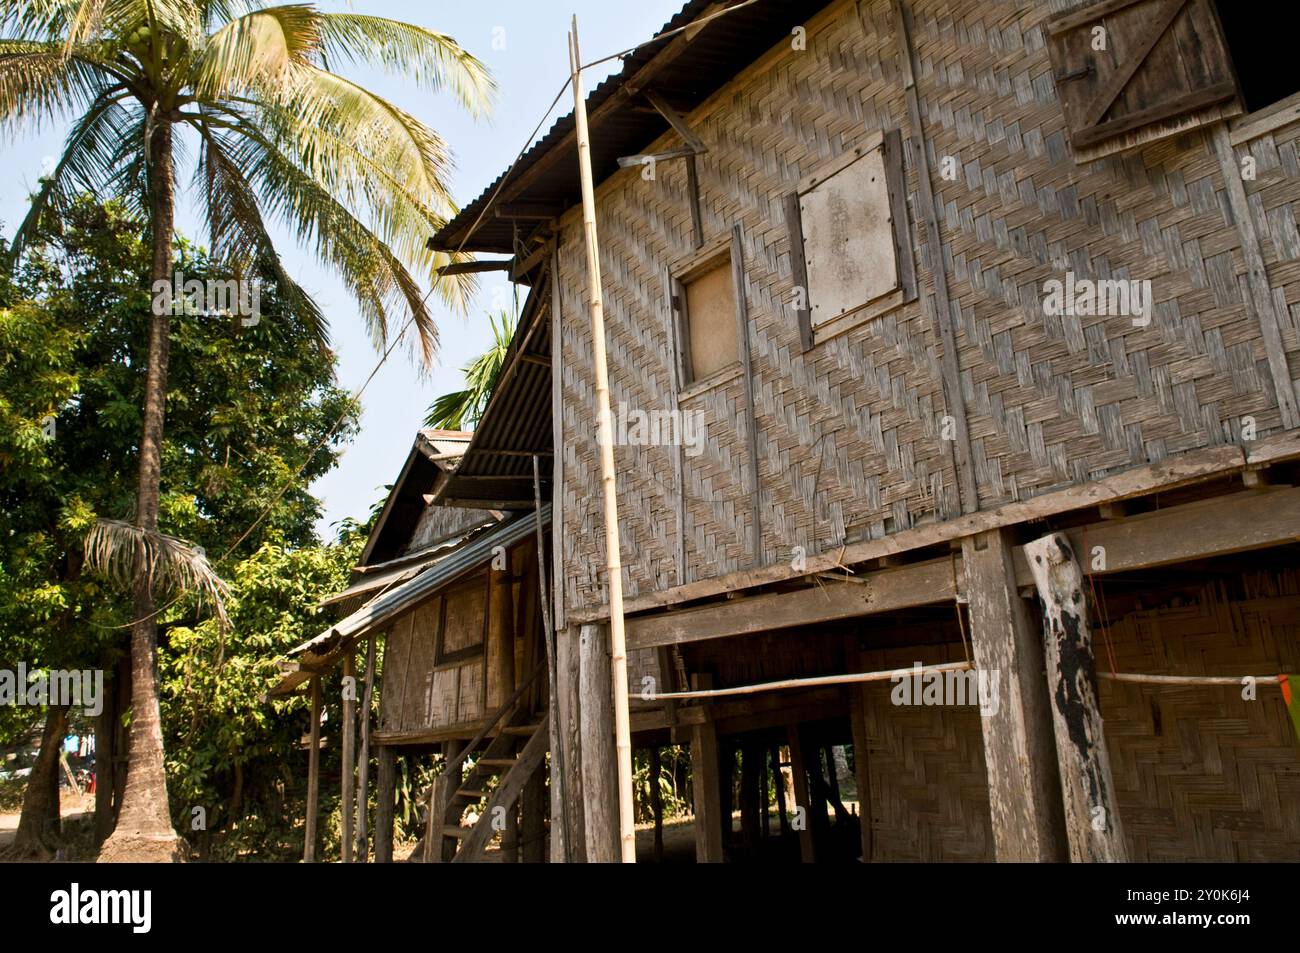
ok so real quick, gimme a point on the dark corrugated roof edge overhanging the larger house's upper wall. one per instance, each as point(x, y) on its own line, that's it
point(547, 176)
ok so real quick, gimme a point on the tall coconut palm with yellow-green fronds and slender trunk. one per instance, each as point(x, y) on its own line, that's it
point(279, 137)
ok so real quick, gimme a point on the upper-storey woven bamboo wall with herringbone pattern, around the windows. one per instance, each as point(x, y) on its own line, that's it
point(848, 434)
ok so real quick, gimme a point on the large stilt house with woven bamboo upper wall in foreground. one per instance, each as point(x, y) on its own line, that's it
point(946, 336)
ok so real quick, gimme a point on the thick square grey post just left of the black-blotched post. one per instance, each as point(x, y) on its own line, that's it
point(1024, 789)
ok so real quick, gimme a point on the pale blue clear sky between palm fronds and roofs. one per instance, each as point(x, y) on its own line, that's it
point(523, 42)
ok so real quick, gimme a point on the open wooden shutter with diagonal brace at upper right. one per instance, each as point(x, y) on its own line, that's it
point(1165, 70)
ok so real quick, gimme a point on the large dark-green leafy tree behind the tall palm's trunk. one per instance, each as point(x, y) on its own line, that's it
point(250, 409)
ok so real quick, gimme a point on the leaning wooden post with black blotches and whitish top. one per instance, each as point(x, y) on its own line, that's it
point(1091, 813)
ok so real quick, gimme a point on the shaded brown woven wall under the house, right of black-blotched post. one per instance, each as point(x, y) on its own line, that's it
point(1201, 773)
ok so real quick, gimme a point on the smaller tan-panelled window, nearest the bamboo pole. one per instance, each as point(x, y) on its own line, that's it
point(707, 304)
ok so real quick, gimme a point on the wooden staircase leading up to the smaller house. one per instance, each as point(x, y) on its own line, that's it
point(513, 756)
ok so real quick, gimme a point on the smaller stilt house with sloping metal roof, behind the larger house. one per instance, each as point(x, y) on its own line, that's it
point(452, 595)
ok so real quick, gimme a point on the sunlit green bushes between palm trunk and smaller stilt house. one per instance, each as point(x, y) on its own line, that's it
point(226, 746)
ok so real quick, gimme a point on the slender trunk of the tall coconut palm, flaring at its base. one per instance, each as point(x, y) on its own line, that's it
point(145, 821)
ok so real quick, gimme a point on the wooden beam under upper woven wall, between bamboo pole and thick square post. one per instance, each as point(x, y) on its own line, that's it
point(878, 592)
